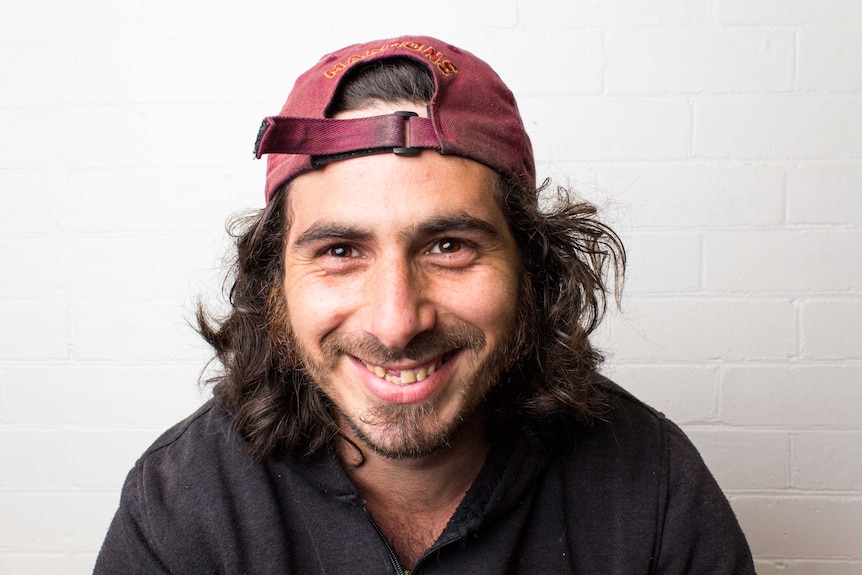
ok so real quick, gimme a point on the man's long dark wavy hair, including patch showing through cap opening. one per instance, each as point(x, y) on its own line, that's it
point(571, 262)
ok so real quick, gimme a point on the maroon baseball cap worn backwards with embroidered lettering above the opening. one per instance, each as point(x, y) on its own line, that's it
point(471, 114)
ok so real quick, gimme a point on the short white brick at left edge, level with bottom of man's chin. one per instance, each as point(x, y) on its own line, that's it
point(34, 458)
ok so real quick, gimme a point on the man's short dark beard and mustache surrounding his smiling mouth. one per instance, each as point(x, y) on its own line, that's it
point(409, 431)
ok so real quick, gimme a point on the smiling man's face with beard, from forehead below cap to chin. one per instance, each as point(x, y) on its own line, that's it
point(401, 284)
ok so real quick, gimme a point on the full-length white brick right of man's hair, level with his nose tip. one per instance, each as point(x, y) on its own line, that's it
point(705, 330)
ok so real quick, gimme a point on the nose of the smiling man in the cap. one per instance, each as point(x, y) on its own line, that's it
point(399, 305)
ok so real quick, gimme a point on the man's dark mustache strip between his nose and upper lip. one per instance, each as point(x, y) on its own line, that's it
point(424, 347)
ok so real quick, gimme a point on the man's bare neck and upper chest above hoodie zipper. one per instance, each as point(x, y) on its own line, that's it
point(412, 500)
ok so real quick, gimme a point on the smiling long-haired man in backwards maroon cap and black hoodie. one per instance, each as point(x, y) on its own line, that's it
point(408, 383)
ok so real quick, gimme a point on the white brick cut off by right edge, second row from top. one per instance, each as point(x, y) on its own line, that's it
point(825, 56)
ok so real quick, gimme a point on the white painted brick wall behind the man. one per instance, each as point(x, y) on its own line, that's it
point(724, 136)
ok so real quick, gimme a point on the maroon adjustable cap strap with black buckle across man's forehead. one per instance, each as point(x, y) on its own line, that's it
point(326, 136)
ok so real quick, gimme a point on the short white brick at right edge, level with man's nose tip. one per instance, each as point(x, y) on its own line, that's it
point(832, 329)
